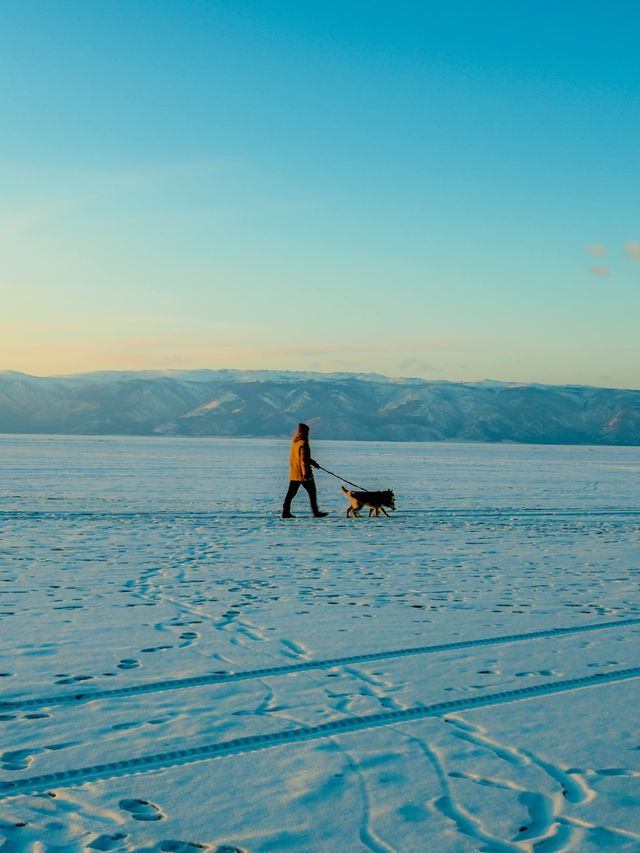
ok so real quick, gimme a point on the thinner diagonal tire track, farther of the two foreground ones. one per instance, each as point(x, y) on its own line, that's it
point(288, 669)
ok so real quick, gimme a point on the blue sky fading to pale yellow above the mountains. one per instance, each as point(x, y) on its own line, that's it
point(446, 190)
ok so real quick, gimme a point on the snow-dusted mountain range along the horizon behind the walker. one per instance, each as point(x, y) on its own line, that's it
point(338, 406)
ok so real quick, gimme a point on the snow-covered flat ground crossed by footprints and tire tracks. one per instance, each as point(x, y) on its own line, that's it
point(183, 670)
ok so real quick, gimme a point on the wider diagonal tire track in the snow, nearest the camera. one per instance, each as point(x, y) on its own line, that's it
point(253, 743)
